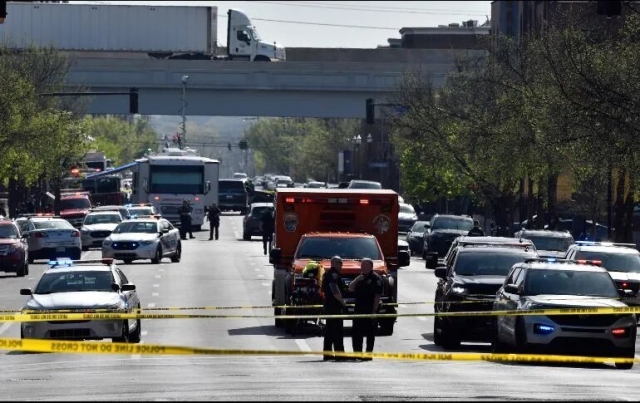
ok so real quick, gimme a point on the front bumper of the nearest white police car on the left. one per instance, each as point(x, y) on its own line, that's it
point(72, 330)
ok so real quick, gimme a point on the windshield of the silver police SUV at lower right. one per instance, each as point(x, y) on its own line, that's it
point(569, 282)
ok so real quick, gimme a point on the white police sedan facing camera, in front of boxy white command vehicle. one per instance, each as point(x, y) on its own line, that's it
point(143, 238)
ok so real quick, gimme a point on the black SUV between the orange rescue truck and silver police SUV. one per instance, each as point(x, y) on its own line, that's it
point(468, 282)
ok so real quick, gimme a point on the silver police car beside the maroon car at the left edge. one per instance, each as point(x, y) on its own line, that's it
point(49, 237)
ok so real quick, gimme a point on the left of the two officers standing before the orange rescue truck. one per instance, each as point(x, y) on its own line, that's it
point(333, 305)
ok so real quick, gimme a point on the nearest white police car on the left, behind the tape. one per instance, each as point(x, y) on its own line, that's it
point(84, 286)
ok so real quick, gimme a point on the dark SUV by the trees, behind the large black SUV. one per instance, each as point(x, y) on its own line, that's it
point(444, 229)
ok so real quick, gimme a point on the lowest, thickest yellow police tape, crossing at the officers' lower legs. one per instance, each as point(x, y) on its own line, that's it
point(83, 347)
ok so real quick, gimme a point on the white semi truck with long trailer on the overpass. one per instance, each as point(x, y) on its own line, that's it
point(173, 32)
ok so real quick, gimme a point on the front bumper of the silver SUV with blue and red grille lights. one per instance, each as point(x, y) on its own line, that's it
point(576, 338)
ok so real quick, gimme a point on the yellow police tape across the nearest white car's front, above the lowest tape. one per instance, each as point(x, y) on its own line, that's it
point(54, 317)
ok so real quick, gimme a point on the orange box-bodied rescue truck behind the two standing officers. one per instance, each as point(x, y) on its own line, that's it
point(317, 224)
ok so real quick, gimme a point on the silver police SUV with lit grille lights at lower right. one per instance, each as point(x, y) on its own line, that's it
point(544, 284)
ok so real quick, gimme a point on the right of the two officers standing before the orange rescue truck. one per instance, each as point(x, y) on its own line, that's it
point(368, 288)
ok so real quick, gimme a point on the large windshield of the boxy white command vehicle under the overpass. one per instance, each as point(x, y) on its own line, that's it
point(177, 179)
